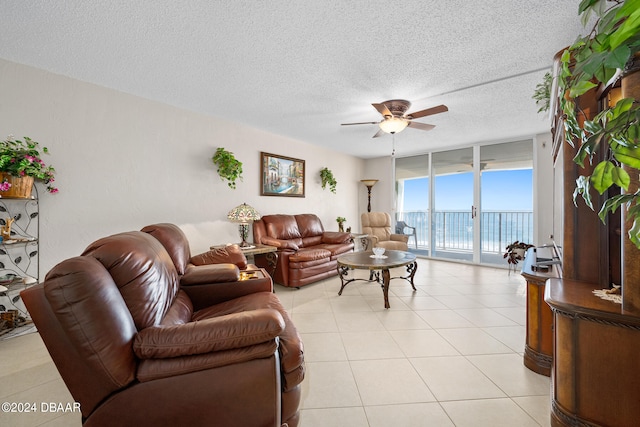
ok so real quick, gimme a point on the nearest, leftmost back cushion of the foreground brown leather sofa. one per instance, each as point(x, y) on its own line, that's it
point(89, 331)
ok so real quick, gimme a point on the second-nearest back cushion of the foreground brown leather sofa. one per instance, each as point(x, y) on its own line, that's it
point(143, 271)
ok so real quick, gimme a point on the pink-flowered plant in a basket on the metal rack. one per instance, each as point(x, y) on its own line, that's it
point(21, 165)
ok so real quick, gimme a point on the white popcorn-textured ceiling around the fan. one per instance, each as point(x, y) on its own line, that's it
point(301, 68)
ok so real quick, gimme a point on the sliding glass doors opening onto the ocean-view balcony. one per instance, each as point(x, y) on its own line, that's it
point(468, 204)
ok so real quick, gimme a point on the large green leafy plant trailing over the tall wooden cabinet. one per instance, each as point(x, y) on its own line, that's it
point(599, 60)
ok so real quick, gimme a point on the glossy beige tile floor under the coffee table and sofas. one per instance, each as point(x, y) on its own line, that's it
point(449, 354)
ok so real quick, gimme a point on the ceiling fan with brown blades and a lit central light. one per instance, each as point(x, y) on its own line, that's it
point(395, 117)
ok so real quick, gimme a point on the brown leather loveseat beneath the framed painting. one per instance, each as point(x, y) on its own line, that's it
point(306, 253)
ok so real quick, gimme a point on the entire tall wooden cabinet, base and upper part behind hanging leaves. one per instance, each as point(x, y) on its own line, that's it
point(596, 343)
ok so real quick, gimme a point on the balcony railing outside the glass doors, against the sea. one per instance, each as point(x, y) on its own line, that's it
point(453, 230)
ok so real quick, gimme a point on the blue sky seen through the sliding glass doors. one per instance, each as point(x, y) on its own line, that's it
point(506, 190)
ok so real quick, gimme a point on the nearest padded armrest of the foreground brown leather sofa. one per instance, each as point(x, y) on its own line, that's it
point(221, 333)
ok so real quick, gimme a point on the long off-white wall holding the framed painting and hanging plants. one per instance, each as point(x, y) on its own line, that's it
point(124, 162)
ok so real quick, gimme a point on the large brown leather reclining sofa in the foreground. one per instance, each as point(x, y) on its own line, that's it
point(144, 337)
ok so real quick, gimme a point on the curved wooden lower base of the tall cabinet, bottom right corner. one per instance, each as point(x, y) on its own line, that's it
point(596, 348)
